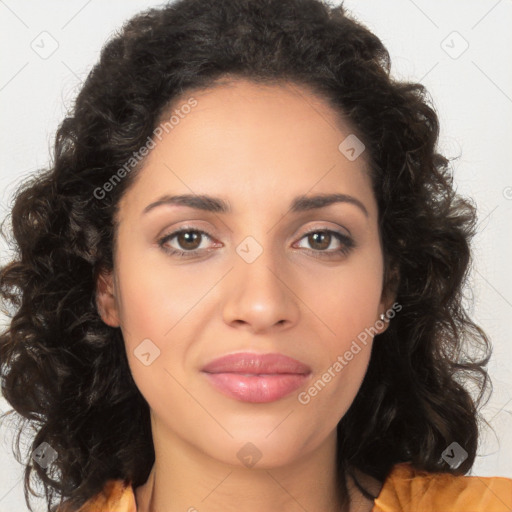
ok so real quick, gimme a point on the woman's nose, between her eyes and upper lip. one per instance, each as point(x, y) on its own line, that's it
point(259, 297)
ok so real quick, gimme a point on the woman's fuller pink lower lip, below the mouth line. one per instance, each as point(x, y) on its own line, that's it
point(256, 388)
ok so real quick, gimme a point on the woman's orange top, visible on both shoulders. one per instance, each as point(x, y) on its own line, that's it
point(405, 490)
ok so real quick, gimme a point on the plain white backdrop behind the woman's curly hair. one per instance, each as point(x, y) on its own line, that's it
point(460, 50)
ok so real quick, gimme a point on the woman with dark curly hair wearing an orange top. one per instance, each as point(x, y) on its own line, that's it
point(239, 285)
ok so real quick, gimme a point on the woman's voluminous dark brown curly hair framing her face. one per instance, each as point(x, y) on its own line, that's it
point(65, 372)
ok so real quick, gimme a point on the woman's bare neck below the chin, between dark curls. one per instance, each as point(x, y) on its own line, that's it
point(187, 479)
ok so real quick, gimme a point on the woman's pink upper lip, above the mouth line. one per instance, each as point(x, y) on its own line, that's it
point(249, 362)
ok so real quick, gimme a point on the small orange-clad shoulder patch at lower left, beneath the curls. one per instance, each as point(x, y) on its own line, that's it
point(116, 495)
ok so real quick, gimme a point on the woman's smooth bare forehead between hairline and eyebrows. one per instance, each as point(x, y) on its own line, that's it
point(264, 144)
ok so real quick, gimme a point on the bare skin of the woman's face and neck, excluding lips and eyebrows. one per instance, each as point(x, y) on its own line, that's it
point(257, 147)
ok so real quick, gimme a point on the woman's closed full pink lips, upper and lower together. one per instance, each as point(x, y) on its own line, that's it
point(256, 378)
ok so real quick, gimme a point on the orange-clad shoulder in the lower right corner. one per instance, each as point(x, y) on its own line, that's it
point(407, 488)
